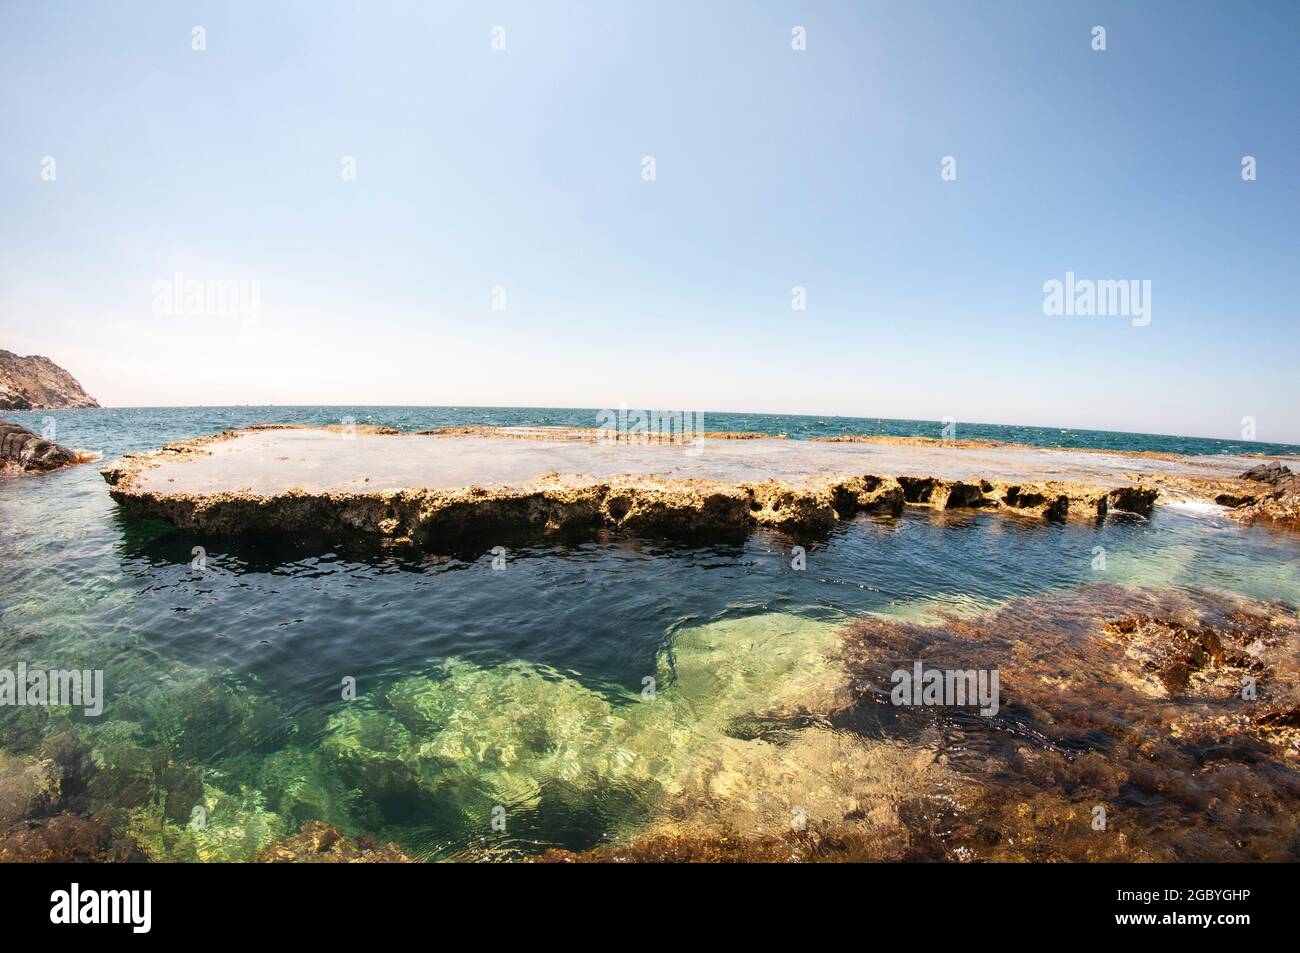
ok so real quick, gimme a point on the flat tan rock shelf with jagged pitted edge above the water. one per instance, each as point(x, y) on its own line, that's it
point(330, 493)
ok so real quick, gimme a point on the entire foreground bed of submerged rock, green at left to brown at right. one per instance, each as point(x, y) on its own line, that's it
point(765, 738)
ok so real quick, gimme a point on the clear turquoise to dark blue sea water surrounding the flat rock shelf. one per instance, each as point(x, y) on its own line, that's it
point(479, 690)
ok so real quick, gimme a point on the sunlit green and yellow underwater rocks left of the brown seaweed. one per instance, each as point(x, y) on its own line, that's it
point(179, 770)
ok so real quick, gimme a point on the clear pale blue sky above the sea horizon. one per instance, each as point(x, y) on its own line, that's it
point(424, 219)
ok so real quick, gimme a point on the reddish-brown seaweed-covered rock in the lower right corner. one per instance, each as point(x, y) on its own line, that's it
point(1134, 725)
